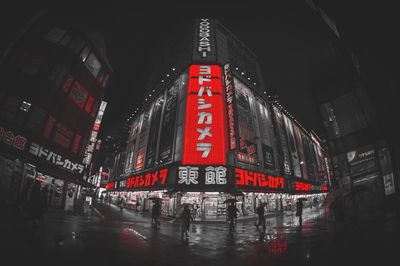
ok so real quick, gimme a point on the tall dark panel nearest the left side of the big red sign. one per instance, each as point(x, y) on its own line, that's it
point(168, 123)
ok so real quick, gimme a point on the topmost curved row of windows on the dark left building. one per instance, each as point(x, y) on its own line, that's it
point(78, 45)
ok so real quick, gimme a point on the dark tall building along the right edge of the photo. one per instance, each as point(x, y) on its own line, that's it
point(362, 154)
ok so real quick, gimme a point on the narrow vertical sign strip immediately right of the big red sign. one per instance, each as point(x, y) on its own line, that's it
point(230, 106)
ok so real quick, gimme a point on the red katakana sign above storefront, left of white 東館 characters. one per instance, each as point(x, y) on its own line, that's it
point(148, 180)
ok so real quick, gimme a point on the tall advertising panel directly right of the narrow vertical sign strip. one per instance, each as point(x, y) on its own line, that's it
point(247, 150)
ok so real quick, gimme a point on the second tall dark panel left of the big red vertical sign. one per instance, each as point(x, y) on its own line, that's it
point(153, 133)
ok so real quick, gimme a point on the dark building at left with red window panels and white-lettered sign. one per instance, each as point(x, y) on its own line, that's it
point(53, 80)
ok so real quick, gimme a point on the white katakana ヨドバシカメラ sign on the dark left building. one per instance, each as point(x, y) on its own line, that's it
point(55, 159)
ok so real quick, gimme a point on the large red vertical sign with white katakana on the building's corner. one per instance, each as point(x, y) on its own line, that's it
point(205, 133)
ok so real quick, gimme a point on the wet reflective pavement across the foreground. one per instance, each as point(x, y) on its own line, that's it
point(109, 236)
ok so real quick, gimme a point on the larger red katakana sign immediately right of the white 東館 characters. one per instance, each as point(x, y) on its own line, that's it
point(259, 180)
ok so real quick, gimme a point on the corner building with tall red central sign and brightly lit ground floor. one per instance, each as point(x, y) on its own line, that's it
point(208, 132)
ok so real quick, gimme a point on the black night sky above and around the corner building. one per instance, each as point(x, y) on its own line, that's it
point(283, 34)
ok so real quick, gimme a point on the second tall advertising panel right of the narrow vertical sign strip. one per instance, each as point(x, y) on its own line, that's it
point(266, 134)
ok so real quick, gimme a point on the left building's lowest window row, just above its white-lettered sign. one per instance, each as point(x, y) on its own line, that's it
point(40, 122)
